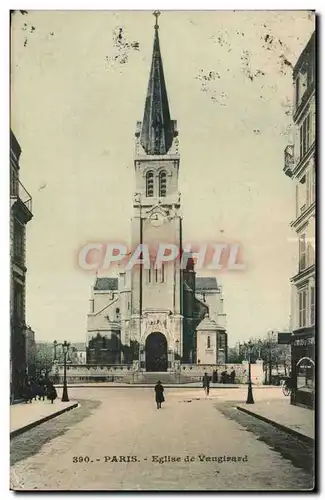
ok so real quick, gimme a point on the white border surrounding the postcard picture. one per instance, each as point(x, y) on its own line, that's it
point(4, 171)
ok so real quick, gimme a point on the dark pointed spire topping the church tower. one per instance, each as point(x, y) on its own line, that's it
point(157, 128)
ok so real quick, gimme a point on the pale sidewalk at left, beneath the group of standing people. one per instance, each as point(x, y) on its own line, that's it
point(25, 416)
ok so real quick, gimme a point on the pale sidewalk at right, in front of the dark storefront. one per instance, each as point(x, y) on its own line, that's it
point(280, 413)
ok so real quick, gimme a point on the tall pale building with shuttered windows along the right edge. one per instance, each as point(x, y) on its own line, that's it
point(300, 166)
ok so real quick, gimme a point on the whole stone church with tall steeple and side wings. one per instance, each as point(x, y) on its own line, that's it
point(150, 316)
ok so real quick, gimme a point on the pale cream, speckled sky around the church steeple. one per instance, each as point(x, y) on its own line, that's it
point(77, 91)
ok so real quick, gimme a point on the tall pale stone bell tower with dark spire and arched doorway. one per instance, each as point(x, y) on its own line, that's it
point(156, 305)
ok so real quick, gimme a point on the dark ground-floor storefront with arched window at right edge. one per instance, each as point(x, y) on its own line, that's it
point(303, 368)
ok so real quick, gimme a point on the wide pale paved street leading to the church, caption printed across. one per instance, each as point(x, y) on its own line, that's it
point(76, 450)
